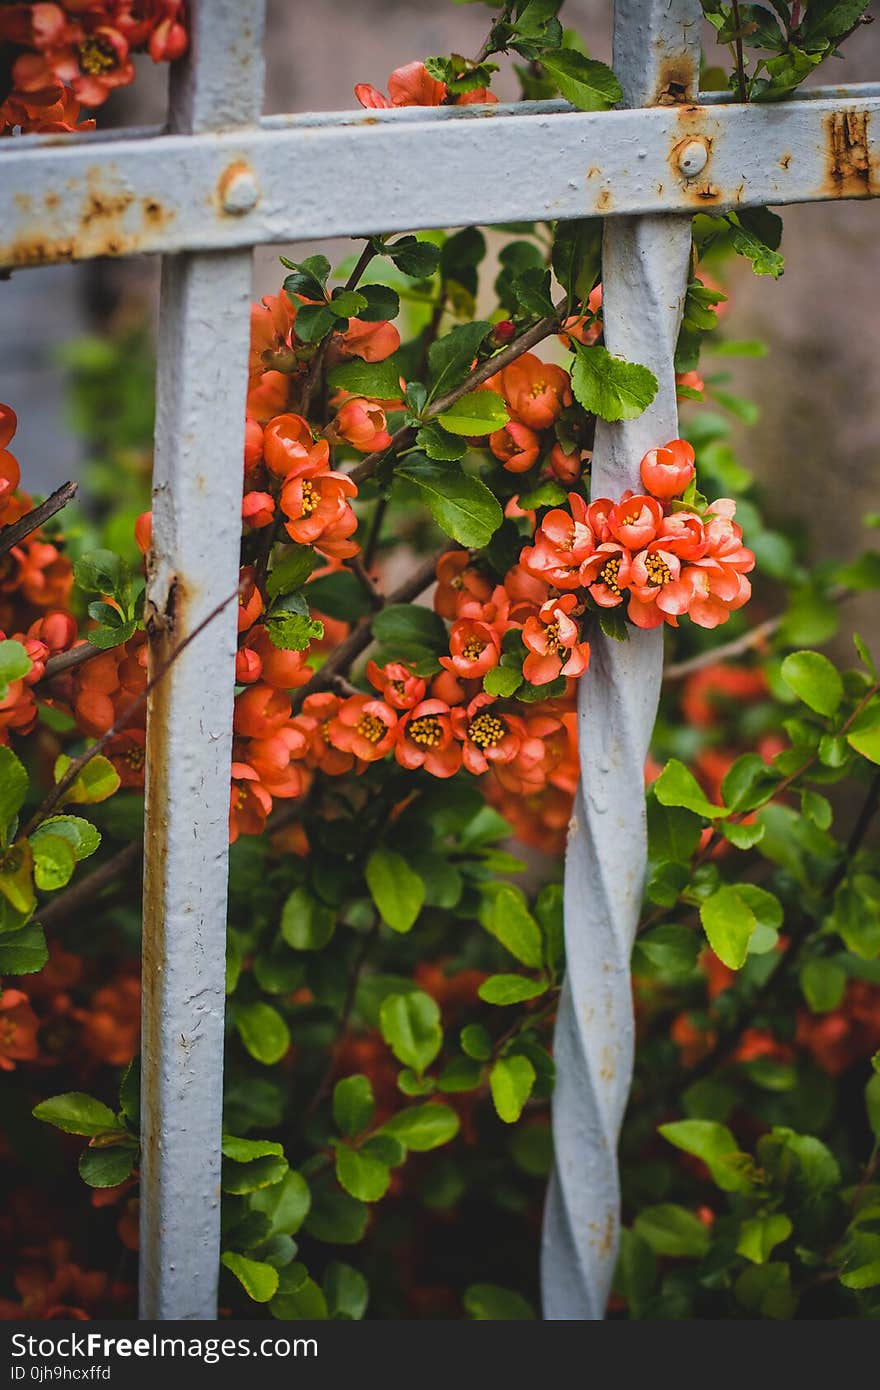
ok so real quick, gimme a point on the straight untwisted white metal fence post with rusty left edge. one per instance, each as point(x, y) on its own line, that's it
point(197, 533)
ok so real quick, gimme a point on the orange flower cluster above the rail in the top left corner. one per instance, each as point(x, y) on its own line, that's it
point(77, 52)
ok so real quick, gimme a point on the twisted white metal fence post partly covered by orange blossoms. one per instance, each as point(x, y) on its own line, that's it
point(644, 273)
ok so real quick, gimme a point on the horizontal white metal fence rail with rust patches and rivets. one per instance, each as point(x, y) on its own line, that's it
point(80, 198)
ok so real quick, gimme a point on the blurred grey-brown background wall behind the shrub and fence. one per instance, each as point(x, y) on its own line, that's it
point(818, 443)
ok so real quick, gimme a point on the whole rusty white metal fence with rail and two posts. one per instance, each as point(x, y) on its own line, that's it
point(204, 193)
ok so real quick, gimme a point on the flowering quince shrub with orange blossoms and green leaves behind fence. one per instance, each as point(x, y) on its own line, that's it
point(425, 571)
